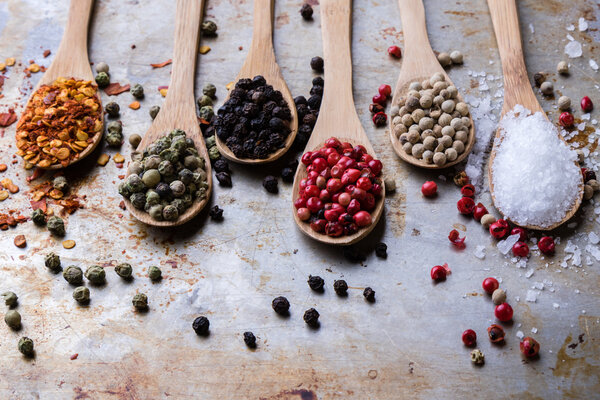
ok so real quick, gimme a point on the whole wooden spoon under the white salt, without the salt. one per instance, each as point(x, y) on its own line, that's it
point(517, 89)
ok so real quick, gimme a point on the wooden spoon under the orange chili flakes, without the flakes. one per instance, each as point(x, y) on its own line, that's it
point(71, 61)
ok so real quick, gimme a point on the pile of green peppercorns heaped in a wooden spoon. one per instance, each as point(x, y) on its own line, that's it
point(167, 178)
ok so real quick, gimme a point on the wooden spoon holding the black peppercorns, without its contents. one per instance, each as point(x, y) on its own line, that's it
point(261, 61)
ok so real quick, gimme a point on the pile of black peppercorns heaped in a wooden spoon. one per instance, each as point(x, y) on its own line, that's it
point(254, 121)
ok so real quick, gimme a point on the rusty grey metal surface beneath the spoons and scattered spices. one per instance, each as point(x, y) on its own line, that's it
point(406, 345)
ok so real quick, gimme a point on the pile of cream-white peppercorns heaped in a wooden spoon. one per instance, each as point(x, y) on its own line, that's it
point(430, 122)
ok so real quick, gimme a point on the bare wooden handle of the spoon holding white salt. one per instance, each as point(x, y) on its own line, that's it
point(517, 89)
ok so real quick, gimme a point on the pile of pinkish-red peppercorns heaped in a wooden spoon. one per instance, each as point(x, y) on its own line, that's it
point(341, 189)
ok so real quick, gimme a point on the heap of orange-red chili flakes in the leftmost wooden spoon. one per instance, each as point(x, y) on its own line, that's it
point(60, 121)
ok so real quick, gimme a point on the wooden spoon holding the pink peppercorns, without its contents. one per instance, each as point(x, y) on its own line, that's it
point(337, 116)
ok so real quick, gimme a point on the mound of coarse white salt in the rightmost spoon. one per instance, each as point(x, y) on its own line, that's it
point(534, 173)
